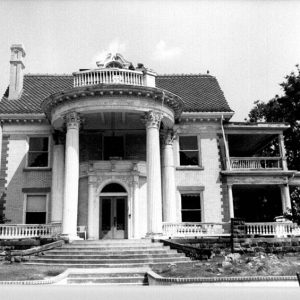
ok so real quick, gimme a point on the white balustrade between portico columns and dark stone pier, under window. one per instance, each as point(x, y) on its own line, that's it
point(195, 229)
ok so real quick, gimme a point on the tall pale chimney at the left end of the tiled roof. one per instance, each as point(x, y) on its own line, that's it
point(16, 71)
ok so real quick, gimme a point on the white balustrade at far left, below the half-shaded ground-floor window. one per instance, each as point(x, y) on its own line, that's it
point(15, 231)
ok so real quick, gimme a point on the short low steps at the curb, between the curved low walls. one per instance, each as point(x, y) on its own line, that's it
point(141, 280)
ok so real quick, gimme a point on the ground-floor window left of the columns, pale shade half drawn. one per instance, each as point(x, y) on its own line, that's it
point(35, 209)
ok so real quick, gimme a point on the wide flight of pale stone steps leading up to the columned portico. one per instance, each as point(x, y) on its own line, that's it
point(111, 254)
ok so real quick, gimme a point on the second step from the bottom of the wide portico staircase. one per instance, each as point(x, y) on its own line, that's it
point(106, 260)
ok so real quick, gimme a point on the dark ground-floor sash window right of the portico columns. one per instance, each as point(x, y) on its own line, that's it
point(190, 207)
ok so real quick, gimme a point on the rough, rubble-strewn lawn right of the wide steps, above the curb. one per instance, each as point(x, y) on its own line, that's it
point(237, 265)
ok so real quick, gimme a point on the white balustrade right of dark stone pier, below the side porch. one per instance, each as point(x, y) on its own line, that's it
point(279, 229)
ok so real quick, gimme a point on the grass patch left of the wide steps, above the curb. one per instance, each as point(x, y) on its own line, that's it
point(19, 271)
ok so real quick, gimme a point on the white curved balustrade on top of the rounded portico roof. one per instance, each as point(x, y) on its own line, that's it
point(108, 76)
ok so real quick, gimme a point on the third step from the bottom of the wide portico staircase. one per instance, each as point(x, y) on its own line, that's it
point(110, 256)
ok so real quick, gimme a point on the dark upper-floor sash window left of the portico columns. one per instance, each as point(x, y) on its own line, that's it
point(38, 154)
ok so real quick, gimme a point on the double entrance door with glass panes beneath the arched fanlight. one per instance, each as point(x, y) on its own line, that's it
point(113, 218)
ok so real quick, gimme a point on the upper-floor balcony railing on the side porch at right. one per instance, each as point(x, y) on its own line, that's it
point(242, 163)
